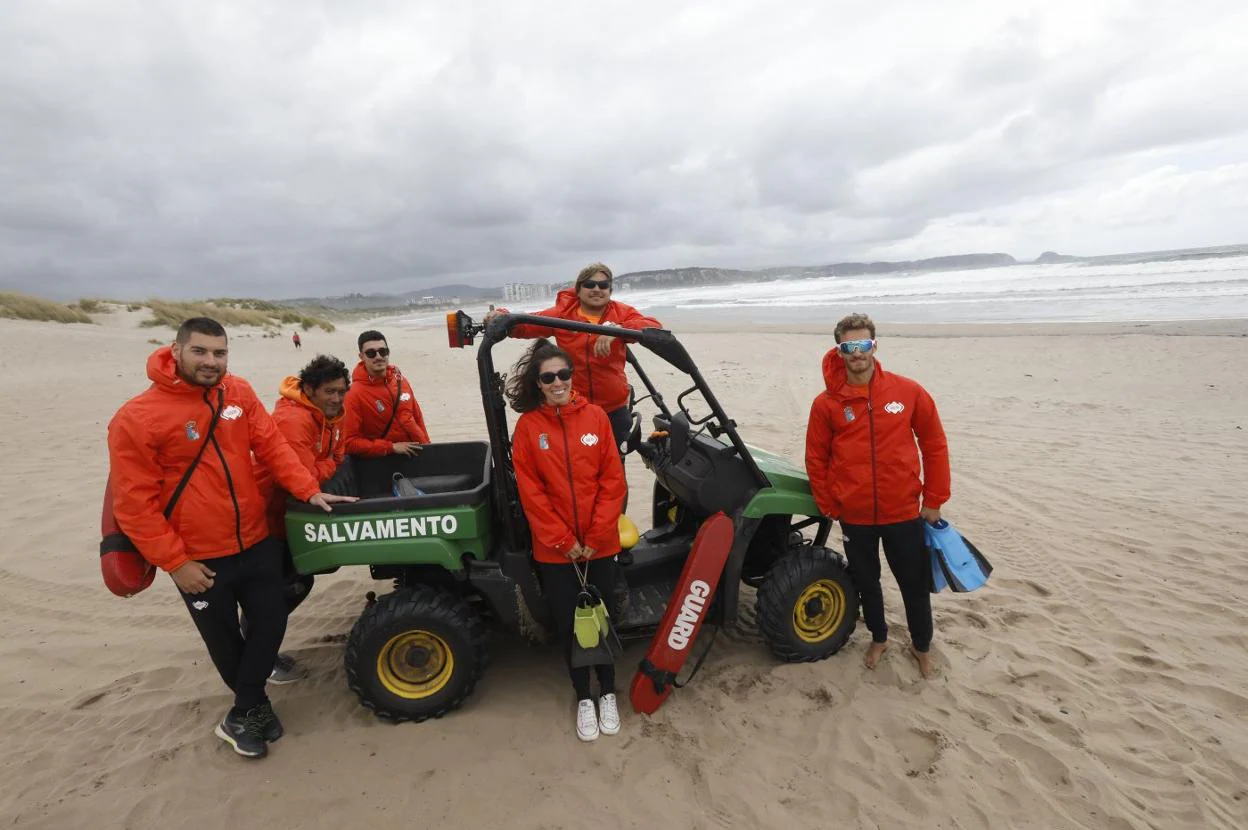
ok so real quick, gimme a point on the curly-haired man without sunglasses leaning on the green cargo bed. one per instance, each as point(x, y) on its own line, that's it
point(309, 415)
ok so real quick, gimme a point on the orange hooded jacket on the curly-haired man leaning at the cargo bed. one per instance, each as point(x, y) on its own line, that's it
point(316, 440)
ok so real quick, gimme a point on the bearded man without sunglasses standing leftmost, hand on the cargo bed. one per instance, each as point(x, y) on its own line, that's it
point(215, 544)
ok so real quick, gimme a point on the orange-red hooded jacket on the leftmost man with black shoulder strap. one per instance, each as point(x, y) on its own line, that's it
point(153, 440)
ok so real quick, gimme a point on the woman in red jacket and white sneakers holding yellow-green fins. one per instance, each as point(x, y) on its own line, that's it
point(572, 487)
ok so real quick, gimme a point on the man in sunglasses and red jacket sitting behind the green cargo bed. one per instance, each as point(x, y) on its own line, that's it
point(383, 416)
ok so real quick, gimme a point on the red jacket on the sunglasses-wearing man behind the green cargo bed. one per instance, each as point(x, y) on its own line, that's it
point(369, 408)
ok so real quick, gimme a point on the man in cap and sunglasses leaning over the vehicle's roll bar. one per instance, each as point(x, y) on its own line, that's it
point(597, 361)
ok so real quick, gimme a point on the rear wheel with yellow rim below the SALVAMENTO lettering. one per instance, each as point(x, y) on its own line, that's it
point(414, 618)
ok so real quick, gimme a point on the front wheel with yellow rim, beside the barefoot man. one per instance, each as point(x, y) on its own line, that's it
point(816, 580)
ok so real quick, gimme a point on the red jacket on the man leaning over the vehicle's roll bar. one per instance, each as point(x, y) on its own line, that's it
point(601, 380)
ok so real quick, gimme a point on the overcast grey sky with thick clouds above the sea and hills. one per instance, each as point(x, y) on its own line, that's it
point(296, 148)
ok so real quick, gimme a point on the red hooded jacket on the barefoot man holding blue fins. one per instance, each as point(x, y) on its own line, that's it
point(862, 457)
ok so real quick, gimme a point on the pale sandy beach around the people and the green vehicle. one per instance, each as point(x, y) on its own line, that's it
point(1100, 681)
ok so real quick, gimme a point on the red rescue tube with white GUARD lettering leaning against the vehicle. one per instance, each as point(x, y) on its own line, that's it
point(687, 610)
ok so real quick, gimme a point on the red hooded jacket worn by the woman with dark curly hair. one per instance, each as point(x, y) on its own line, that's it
point(571, 480)
